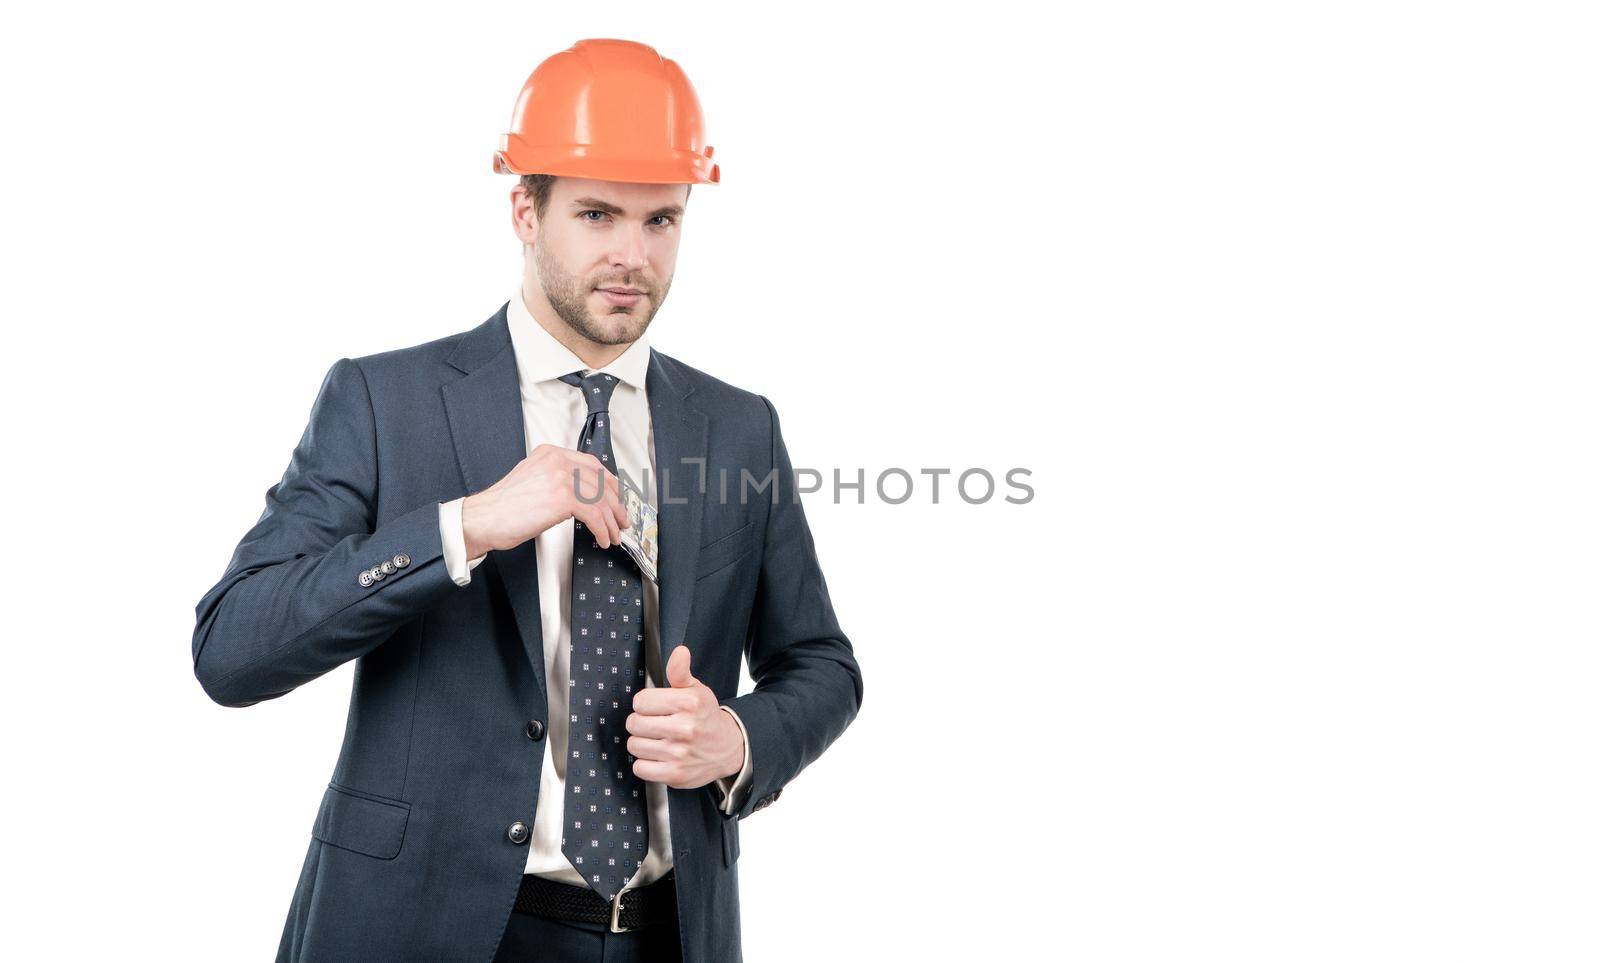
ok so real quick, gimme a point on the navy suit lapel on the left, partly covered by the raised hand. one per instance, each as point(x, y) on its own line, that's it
point(487, 428)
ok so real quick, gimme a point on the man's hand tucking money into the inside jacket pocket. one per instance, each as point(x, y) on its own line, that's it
point(538, 495)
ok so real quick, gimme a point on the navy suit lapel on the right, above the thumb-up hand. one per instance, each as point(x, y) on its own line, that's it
point(681, 434)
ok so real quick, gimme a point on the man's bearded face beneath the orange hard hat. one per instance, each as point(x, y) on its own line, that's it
point(606, 252)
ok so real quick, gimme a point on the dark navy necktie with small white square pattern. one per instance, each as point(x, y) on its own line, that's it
point(606, 833)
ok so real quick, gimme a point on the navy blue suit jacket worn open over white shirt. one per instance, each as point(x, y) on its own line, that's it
point(410, 857)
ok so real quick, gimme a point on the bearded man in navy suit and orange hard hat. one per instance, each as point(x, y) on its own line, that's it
point(545, 757)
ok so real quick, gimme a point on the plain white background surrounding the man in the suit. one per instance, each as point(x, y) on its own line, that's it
point(1289, 308)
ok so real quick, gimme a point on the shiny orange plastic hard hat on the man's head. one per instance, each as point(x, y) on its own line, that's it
point(612, 111)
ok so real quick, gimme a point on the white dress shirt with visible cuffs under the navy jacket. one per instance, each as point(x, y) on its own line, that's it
point(554, 414)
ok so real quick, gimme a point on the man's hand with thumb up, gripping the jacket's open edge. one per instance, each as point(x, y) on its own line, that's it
point(681, 735)
